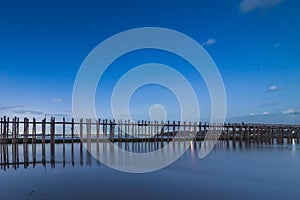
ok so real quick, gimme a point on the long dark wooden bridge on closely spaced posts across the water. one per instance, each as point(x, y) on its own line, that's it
point(16, 131)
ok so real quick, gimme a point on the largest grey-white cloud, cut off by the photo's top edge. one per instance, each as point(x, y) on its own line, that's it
point(250, 5)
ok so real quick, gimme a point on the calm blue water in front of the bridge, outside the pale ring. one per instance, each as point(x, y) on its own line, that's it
point(228, 172)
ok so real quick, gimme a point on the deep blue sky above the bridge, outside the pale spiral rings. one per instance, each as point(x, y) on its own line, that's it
point(255, 45)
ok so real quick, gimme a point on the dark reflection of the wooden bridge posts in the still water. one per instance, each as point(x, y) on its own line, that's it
point(14, 155)
